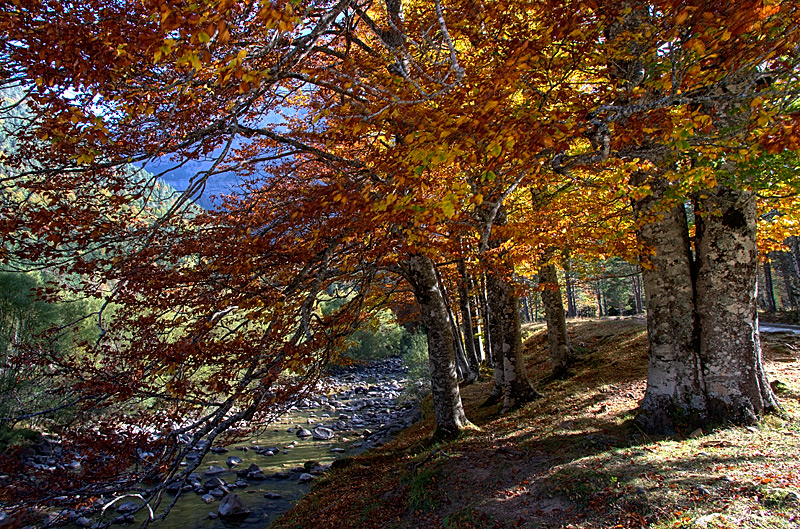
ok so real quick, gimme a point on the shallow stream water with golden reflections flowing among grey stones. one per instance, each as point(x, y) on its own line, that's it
point(362, 408)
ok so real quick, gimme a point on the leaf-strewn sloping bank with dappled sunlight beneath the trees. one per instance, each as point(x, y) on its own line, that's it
point(574, 458)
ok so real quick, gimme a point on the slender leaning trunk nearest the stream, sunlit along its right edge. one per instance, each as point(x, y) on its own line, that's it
point(420, 272)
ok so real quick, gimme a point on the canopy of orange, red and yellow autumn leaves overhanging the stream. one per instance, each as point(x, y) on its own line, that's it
point(364, 133)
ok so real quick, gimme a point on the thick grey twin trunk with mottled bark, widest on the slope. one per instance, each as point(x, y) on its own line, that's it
point(705, 356)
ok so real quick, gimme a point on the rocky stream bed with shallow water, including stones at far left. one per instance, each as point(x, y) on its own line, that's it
point(351, 410)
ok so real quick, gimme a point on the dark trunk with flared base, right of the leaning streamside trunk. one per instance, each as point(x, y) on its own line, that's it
point(507, 341)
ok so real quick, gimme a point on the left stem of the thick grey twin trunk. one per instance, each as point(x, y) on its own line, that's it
point(674, 382)
